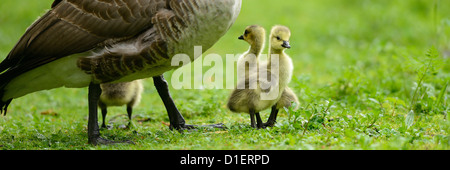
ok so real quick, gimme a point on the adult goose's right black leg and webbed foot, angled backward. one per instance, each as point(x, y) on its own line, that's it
point(176, 119)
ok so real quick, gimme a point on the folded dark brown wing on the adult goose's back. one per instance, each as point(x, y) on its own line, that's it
point(75, 26)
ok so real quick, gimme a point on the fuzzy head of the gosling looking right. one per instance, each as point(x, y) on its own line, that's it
point(279, 37)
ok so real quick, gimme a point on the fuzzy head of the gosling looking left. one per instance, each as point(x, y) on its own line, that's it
point(254, 34)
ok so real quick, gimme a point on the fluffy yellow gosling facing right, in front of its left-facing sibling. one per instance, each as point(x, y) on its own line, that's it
point(249, 100)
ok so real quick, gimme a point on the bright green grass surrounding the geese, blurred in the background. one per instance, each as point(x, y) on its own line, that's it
point(360, 67)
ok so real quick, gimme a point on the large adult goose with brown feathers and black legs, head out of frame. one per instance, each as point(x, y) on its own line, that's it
point(81, 43)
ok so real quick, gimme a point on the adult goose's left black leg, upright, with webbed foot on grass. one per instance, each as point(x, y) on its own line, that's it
point(93, 130)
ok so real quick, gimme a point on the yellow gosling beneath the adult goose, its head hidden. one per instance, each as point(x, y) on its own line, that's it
point(119, 94)
